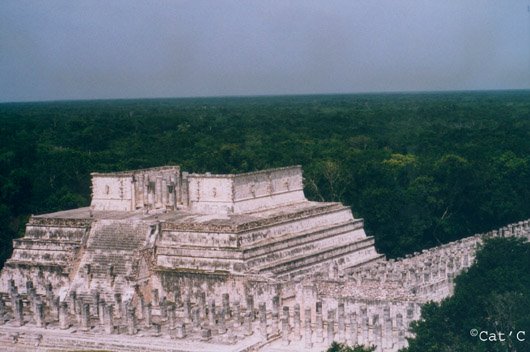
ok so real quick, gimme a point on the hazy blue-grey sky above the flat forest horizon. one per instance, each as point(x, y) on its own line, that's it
point(80, 49)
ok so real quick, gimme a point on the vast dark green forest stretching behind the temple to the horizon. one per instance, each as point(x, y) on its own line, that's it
point(422, 169)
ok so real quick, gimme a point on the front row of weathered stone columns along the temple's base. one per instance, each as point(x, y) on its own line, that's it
point(285, 322)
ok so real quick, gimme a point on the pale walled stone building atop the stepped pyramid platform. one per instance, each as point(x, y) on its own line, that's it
point(167, 188)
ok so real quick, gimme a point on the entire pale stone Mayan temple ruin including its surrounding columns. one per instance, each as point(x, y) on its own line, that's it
point(165, 260)
